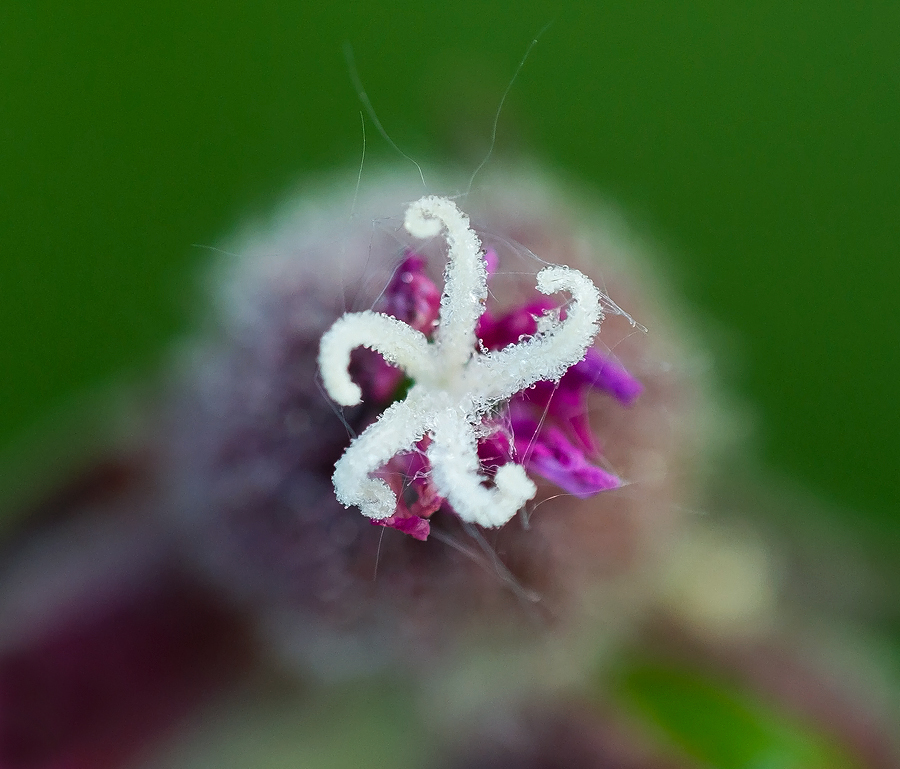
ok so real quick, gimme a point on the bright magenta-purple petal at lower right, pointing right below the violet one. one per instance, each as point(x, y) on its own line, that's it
point(555, 458)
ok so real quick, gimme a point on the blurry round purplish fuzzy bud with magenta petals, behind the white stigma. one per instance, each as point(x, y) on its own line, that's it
point(255, 438)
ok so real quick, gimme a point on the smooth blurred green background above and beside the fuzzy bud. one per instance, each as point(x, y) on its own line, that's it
point(757, 142)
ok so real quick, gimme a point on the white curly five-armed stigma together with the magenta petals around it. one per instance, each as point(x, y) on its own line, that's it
point(542, 426)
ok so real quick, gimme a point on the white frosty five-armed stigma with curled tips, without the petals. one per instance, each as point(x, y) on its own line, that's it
point(455, 385)
